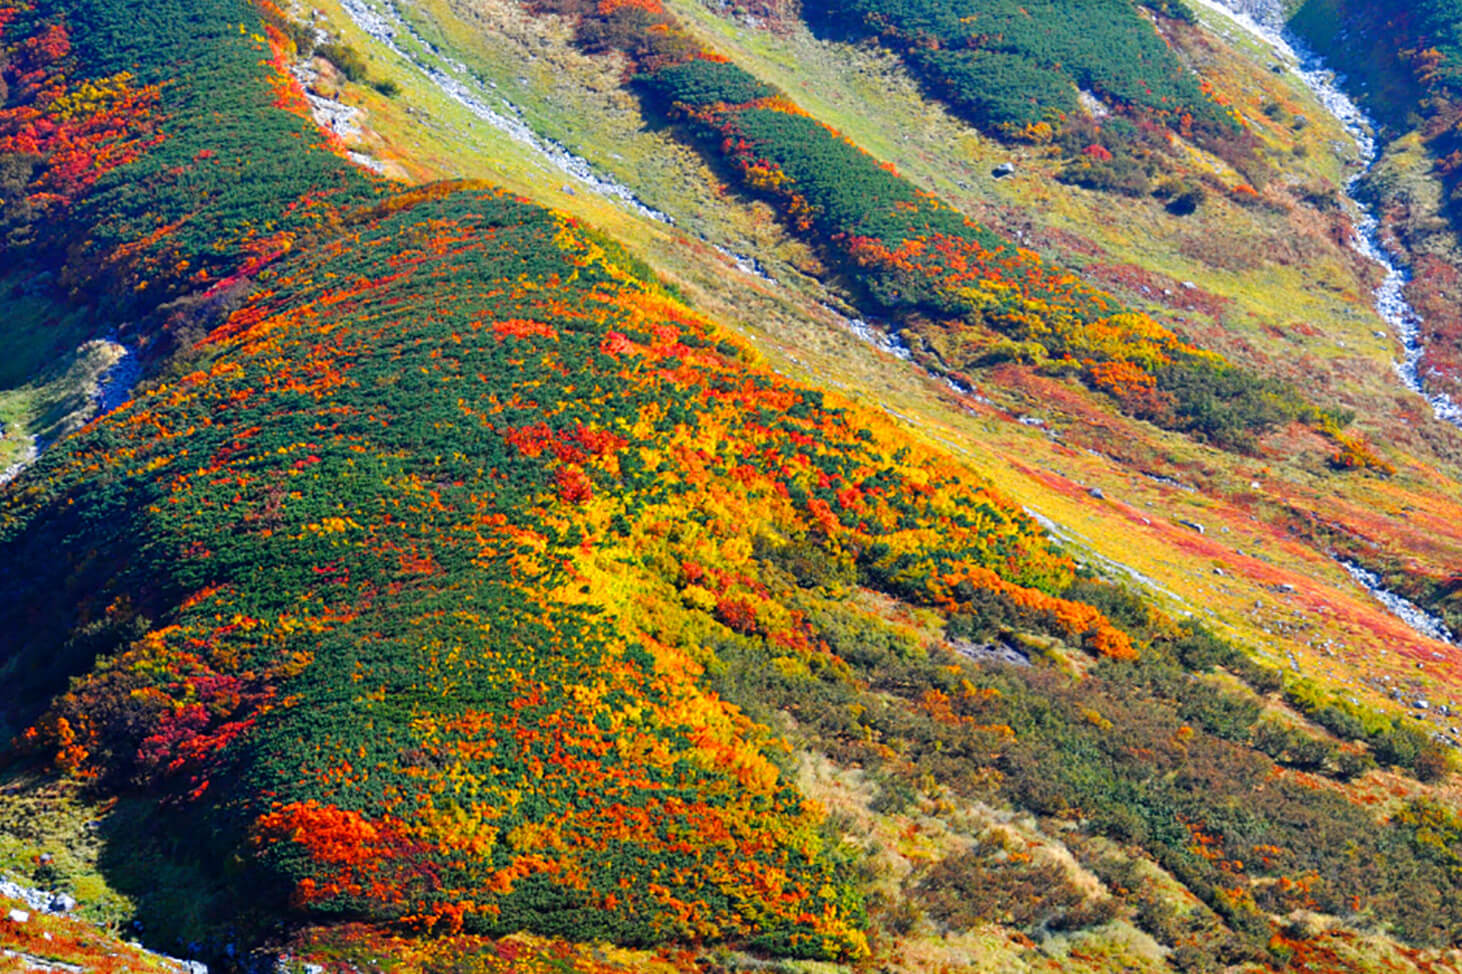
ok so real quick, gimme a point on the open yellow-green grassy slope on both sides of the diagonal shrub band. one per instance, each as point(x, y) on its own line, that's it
point(1267, 280)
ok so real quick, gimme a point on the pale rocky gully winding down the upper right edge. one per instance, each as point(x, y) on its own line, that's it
point(1265, 21)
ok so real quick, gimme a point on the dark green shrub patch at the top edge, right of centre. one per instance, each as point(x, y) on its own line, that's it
point(1015, 69)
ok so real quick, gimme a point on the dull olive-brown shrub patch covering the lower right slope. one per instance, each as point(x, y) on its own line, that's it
point(1159, 755)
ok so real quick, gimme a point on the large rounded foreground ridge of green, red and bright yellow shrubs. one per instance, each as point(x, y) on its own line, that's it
point(284, 559)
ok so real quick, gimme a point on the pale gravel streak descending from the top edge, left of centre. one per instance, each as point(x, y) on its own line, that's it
point(387, 24)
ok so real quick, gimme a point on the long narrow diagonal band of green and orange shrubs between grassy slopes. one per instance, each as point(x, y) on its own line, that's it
point(970, 298)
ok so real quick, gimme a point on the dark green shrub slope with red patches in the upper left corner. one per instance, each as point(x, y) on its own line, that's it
point(194, 211)
